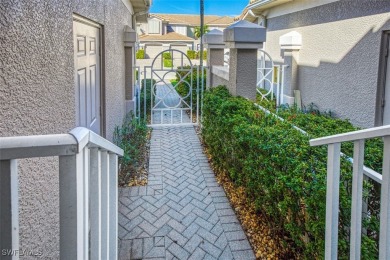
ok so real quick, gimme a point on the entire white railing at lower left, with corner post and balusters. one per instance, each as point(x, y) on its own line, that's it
point(88, 176)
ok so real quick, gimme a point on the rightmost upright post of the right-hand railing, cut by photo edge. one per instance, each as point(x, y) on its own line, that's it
point(384, 231)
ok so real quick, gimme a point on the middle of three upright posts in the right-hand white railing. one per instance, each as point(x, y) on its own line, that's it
point(357, 199)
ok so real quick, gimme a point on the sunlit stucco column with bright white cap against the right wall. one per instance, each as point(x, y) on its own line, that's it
point(290, 44)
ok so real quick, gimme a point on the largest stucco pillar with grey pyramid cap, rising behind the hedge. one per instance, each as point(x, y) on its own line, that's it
point(243, 39)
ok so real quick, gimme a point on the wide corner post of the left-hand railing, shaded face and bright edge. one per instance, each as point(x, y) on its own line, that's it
point(72, 208)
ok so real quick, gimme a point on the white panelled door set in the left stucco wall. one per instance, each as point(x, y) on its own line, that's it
point(87, 75)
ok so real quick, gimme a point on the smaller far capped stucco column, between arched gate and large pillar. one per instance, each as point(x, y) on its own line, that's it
point(215, 52)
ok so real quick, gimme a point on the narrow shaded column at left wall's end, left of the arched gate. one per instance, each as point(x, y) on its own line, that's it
point(129, 38)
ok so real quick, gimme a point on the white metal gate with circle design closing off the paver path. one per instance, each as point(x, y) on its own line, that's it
point(171, 90)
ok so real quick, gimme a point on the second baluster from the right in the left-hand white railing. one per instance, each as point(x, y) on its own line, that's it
point(105, 203)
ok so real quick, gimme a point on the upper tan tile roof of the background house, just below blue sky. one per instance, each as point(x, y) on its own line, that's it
point(194, 20)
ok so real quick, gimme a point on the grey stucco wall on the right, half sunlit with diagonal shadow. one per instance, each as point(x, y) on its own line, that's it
point(338, 62)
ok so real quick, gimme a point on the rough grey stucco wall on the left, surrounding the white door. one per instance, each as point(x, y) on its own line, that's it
point(37, 94)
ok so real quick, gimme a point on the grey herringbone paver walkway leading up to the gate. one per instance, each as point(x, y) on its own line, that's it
point(183, 213)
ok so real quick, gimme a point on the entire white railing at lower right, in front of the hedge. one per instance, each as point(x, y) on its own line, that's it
point(332, 192)
